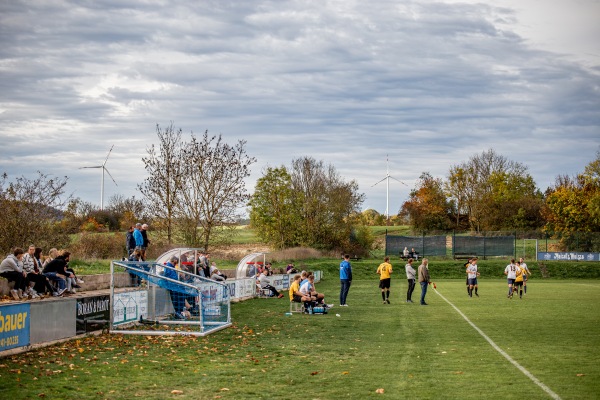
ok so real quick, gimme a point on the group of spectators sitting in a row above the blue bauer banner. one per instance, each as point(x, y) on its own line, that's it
point(33, 278)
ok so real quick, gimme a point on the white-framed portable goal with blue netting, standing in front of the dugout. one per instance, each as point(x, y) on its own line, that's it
point(185, 304)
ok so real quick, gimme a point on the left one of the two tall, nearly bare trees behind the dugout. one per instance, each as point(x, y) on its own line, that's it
point(164, 168)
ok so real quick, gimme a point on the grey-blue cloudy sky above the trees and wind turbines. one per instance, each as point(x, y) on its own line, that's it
point(347, 82)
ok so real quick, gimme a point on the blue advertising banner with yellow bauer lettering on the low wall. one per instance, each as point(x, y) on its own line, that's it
point(14, 326)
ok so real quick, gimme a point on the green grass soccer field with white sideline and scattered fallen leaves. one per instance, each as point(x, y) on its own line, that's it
point(546, 345)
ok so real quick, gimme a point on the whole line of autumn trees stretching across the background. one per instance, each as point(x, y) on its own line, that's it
point(195, 194)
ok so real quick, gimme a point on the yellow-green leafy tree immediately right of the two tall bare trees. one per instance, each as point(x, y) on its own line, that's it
point(273, 208)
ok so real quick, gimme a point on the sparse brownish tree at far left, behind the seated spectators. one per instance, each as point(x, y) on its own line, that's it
point(30, 210)
